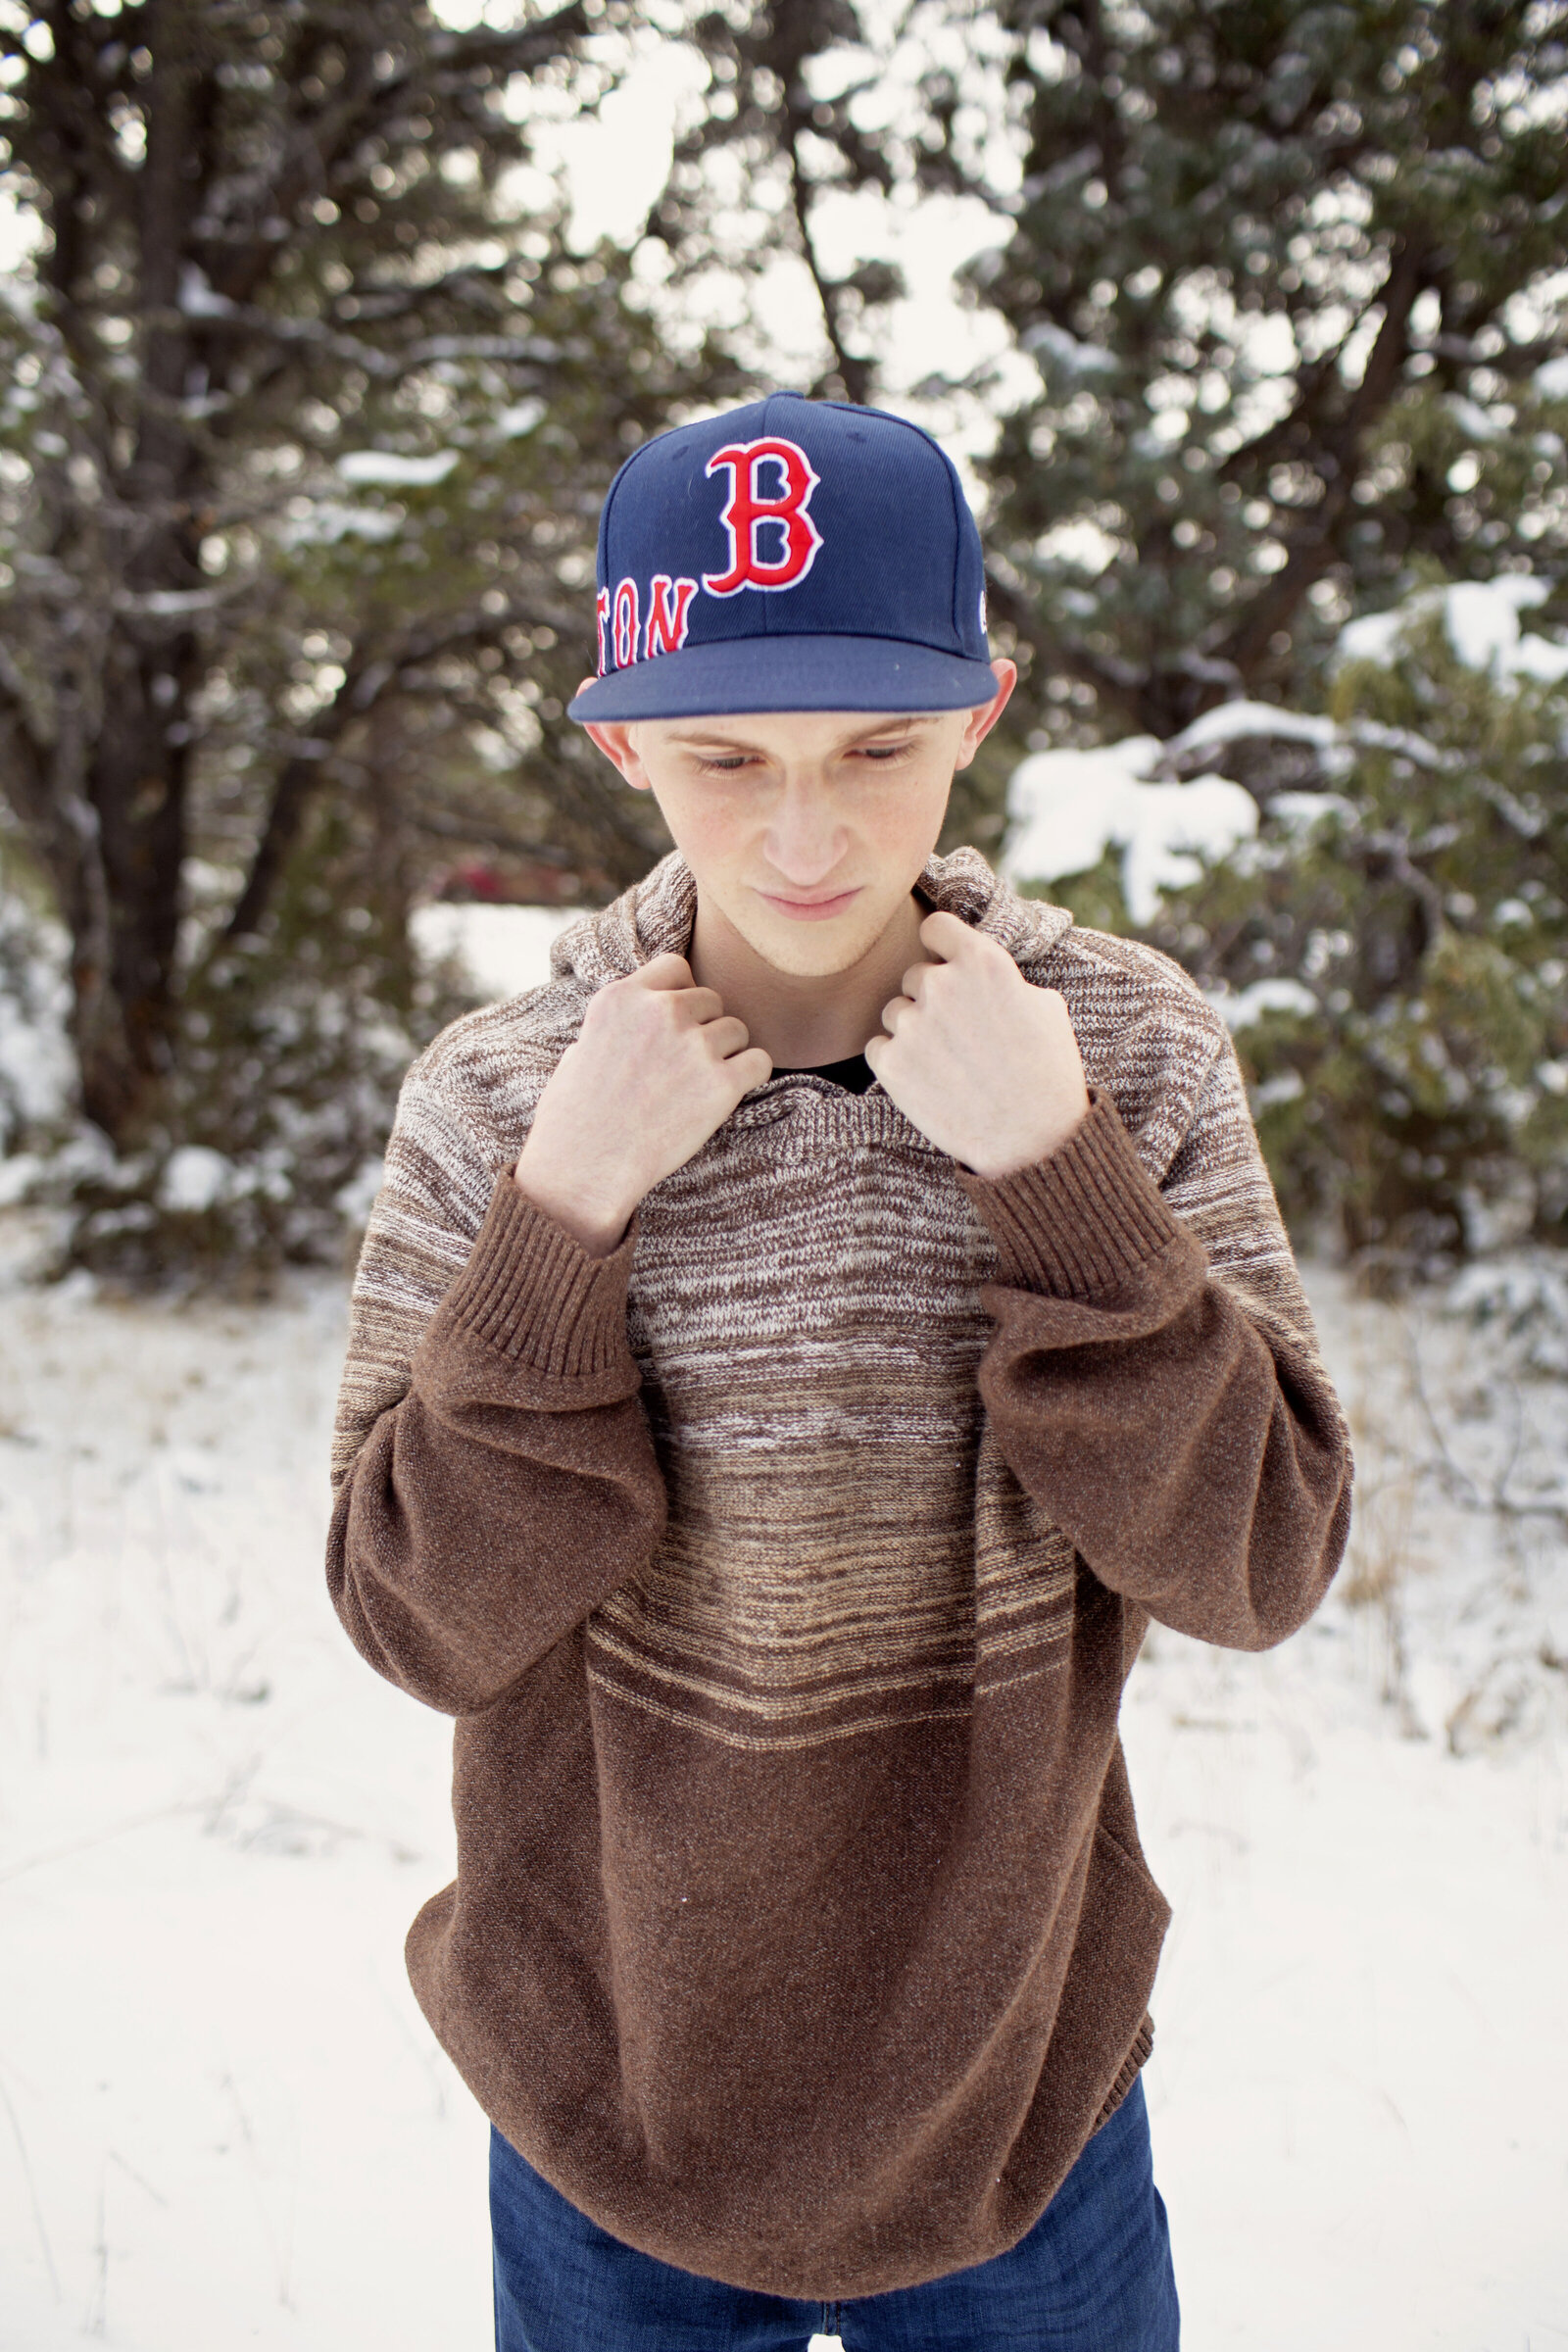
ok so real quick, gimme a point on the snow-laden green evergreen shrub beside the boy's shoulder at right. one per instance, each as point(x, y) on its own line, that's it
point(1391, 940)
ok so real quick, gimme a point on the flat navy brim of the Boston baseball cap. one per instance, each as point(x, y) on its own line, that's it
point(789, 674)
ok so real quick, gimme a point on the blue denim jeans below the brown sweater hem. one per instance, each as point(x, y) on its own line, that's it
point(1092, 2276)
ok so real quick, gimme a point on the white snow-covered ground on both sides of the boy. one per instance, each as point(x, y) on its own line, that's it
point(225, 2123)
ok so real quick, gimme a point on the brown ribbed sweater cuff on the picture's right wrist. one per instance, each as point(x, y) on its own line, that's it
point(1080, 1222)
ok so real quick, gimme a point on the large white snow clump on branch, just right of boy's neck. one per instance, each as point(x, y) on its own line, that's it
point(1068, 806)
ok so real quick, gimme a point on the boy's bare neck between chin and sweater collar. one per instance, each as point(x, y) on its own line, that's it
point(805, 1022)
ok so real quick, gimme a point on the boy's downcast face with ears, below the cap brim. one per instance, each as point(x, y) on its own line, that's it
point(805, 829)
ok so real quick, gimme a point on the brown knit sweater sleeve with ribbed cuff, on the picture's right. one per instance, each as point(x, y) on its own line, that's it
point(1153, 1372)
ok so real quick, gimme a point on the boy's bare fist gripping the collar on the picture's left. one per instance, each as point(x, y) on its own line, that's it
point(655, 1069)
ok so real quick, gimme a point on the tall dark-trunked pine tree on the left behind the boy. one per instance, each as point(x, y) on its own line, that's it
point(307, 429)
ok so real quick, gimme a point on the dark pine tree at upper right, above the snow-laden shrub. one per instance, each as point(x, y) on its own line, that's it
point(1289, 283)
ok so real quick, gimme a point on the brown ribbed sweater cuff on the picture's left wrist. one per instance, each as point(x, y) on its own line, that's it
point(537, 1297)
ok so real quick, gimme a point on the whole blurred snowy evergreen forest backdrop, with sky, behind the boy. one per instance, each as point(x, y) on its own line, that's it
point(328, 326)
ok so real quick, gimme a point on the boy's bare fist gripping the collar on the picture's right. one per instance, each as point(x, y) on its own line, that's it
point(979, 1060)
